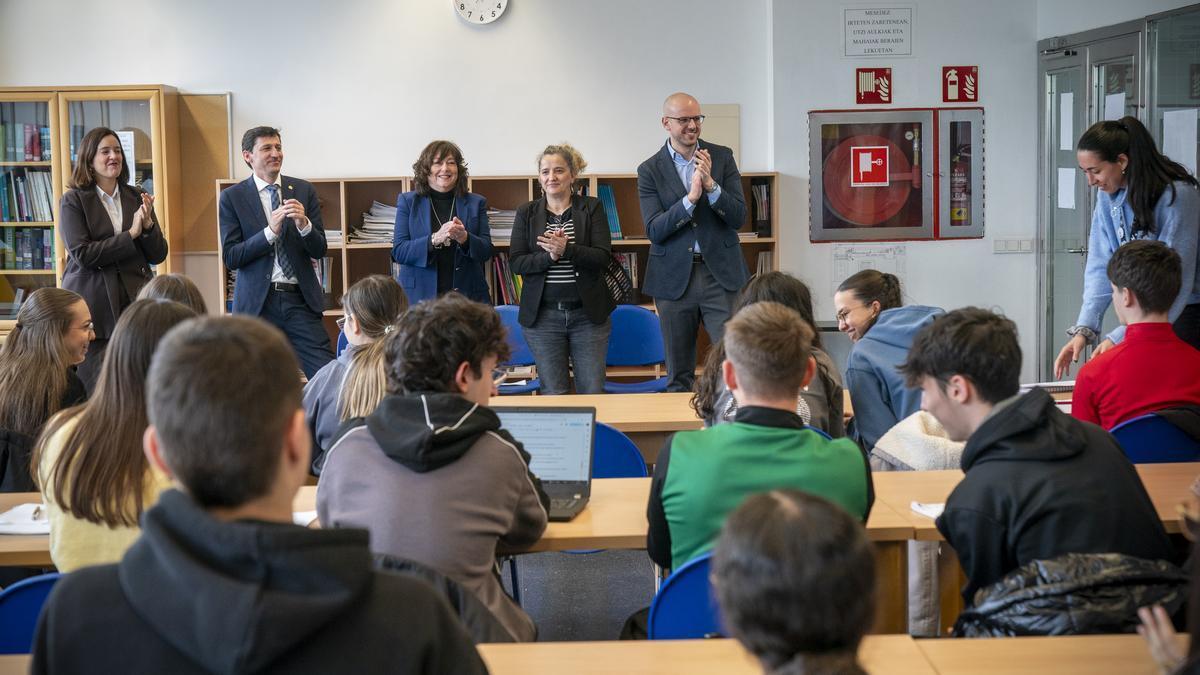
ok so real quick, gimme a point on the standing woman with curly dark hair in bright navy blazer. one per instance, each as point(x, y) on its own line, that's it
point(442, 240)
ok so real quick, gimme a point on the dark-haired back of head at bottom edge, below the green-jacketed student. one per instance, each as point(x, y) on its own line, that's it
point(795, 578)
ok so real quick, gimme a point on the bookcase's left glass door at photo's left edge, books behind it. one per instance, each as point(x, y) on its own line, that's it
point(28, 198)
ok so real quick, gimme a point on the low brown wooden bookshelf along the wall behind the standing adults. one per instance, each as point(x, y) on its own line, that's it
point(345, 201)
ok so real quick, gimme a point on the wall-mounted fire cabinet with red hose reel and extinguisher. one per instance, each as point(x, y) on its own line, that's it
point(896, 175)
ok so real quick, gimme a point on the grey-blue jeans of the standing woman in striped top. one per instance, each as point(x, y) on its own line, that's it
point(560, 334)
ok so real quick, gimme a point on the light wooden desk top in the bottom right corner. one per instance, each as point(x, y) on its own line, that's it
point(1125, 655)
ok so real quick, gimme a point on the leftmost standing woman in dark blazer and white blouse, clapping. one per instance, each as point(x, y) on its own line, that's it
point(112, 238)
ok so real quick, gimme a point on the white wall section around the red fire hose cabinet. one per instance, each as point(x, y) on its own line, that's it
point(811, 74)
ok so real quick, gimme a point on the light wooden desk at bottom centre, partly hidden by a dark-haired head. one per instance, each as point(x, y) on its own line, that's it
point(879, 654)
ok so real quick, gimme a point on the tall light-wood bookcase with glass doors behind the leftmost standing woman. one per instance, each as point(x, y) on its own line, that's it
point(61, 117)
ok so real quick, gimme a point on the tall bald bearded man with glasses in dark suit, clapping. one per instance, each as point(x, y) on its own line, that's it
point(692, 201)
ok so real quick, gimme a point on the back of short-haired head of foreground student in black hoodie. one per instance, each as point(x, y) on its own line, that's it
point(223, 395)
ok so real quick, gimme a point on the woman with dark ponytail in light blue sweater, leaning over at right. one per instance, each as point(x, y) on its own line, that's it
point(1143, 195)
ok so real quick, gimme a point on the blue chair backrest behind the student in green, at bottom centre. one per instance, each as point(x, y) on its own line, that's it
point(686, 607)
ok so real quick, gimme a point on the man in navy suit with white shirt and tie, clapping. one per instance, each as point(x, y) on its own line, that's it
point(272, 234)
